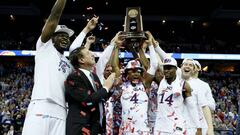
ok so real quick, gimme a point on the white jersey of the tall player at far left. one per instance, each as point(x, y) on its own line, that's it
point(51, 70)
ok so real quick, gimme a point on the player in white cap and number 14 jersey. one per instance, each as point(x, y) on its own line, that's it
point(173, 95)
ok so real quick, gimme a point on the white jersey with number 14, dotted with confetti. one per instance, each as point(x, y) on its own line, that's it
point(169, 117)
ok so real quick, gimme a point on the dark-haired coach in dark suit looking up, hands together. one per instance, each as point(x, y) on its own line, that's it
point(85, 95)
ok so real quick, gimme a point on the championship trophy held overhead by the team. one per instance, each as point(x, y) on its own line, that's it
point(133, 28)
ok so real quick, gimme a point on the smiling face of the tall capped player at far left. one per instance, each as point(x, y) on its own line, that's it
point(61, 41)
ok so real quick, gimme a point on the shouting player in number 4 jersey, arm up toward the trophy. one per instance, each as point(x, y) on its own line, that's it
point(133, 94)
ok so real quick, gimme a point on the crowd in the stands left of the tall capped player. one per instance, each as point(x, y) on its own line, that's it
point(16, 83)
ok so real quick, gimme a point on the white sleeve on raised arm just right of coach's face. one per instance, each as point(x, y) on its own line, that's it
point(102, 61)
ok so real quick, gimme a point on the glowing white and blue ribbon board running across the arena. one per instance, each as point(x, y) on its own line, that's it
point(128, 55)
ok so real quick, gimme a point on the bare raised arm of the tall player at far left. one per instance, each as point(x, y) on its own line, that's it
point(53, 20)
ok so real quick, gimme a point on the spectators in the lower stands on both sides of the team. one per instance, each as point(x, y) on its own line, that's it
point(16, 81)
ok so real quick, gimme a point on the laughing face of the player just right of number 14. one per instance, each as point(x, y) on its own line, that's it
point(187, 69)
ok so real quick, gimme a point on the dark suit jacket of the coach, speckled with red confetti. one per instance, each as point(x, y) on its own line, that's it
point(83, 115)
